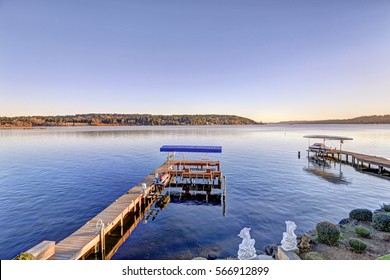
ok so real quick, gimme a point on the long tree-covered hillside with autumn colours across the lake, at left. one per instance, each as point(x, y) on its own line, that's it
point(122, 120)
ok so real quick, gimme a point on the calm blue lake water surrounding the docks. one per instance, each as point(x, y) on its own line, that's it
point(52, 181)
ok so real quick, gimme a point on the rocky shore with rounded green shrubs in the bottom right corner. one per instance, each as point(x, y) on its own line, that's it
point(364, 235)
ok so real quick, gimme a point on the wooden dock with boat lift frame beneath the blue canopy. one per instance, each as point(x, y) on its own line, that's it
point(116, 222)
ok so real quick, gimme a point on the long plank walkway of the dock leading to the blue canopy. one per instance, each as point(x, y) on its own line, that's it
point(78, 244)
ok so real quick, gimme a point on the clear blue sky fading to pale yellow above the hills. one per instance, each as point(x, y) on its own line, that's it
point(266, 60)
